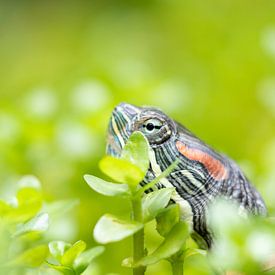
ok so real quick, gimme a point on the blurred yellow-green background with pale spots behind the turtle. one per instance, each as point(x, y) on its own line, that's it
point(64, 65)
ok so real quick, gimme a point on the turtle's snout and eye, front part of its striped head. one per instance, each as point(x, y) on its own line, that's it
point(126, 119)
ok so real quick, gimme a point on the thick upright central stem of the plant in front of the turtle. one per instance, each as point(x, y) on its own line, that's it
point(138, 238)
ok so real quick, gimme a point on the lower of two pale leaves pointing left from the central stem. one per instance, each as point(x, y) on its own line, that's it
point(112, 229)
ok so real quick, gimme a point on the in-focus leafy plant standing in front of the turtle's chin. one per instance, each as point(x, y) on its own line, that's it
point(128, 171)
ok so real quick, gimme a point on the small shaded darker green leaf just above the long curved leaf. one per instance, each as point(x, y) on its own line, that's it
point(167, 219)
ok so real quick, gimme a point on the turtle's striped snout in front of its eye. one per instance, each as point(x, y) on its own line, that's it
point(119, 129)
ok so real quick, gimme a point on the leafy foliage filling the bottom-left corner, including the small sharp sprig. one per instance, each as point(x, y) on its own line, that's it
point(24, 220)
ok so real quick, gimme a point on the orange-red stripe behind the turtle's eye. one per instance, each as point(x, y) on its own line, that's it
point(214, 167)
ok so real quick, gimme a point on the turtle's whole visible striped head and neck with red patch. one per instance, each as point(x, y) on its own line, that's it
point(201, 174)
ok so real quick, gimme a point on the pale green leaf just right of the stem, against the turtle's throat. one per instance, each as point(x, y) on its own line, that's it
point(155, 202)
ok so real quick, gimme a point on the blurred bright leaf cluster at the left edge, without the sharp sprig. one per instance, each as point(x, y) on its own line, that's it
point(22, 222)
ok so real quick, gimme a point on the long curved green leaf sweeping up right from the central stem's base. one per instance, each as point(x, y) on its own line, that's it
point(171, 245)
